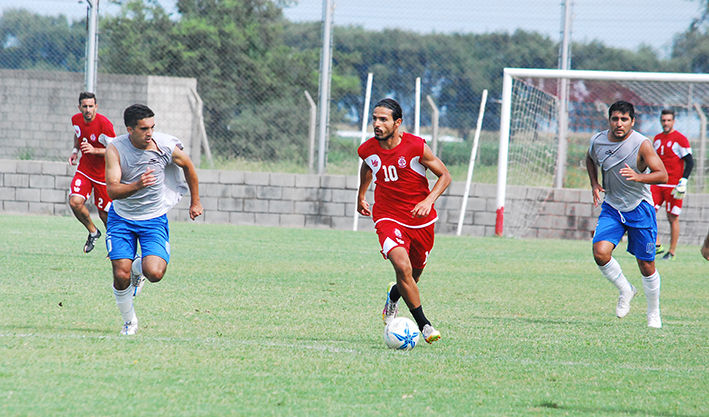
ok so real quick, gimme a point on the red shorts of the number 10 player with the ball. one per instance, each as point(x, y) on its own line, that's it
point(417, 242)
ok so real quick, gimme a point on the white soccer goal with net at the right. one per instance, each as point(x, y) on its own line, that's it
point(530, 121)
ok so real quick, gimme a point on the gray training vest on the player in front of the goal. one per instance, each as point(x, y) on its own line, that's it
point(622, 194)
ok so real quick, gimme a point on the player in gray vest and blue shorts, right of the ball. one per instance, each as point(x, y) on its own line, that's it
point(629, 165)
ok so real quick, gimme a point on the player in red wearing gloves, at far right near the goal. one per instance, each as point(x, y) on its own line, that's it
point(676, 153)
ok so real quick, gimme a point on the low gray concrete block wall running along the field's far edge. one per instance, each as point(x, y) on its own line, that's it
point(328, 202)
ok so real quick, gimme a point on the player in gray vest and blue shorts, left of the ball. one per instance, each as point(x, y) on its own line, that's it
point(142, 178)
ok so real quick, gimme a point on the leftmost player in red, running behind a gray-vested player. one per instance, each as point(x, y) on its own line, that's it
point(90, 174)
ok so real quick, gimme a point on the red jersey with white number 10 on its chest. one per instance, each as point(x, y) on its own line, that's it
point(400, 180)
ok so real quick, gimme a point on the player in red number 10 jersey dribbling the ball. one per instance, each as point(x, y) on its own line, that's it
point(403, 212)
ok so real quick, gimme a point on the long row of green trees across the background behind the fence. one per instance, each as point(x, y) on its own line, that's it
point(252, 65)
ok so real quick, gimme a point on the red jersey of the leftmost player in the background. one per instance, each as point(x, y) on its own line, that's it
point(93, 166)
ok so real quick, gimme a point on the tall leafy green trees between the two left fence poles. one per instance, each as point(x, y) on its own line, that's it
point(235, 49)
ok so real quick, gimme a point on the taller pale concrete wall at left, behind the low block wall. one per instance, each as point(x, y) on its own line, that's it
point(36, 108)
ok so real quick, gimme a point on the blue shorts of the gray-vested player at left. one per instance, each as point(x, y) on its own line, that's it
point(123, 236)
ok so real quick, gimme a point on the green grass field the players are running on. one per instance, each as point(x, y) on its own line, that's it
point(267, 321)
